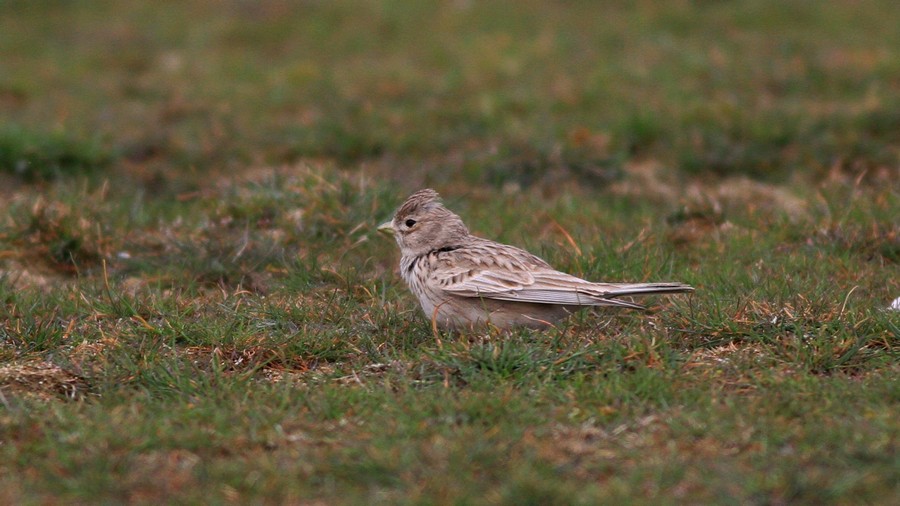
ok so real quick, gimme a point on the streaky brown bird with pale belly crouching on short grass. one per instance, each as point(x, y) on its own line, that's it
point(466, 282)
